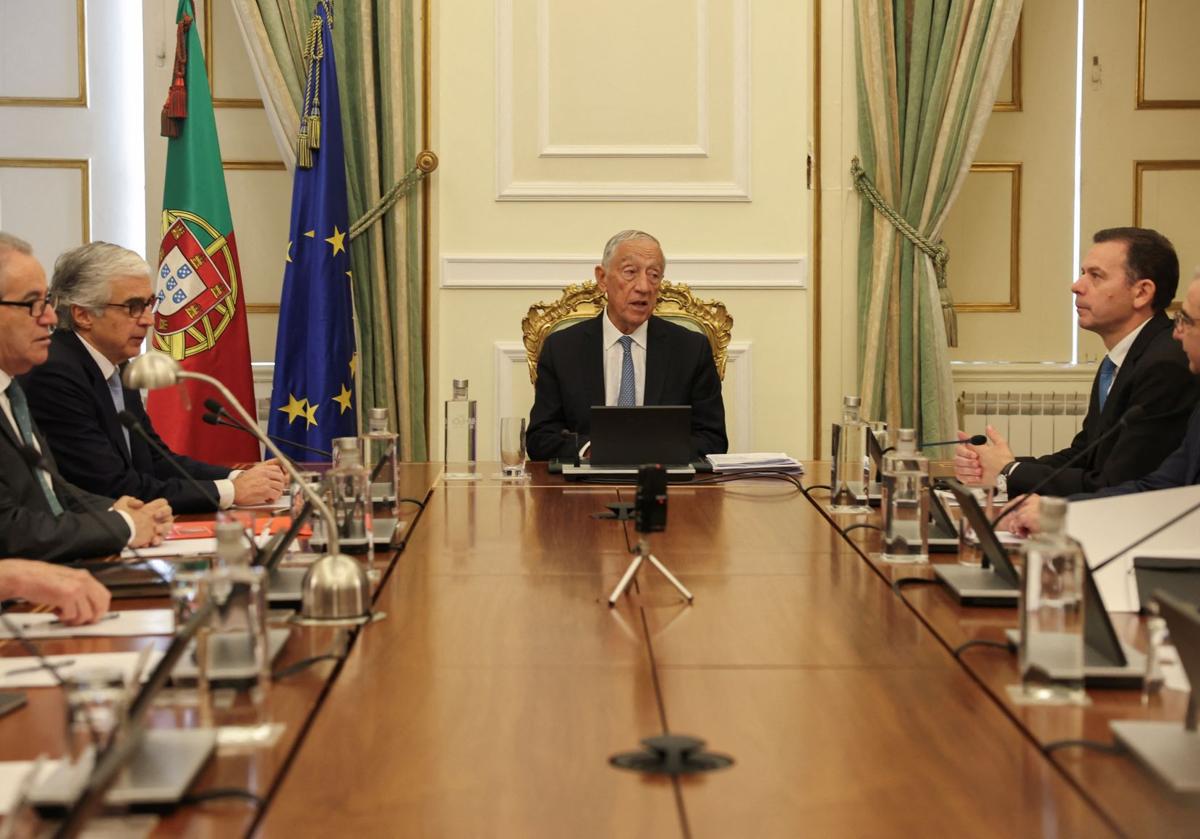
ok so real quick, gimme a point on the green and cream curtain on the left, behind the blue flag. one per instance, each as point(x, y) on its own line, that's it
point(377, 51)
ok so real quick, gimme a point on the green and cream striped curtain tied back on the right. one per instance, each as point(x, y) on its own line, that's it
point(928, 73)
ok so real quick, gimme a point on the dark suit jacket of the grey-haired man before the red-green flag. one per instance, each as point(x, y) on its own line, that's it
point(75, 410)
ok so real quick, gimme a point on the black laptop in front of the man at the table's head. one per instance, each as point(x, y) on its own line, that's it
point(623, 439)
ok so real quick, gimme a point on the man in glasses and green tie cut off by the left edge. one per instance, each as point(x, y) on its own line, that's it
point(43, 517)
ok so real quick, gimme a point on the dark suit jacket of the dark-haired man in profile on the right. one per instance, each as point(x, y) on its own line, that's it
point(1155, 375)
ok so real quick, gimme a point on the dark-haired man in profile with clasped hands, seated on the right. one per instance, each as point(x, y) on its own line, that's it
point(1127, 281)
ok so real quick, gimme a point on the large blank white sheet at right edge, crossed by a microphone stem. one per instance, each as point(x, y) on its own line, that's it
point(1105, 526)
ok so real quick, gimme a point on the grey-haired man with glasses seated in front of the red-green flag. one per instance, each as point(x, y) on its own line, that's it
point(105, 305)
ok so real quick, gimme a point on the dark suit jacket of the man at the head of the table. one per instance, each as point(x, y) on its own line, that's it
point(680, 370)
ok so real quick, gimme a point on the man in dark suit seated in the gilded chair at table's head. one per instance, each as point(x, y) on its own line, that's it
point(625, 357)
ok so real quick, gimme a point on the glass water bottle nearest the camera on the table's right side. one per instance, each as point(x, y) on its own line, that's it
point(1052, 614)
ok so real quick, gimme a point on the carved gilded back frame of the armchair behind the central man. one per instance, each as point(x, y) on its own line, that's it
point(586, 301)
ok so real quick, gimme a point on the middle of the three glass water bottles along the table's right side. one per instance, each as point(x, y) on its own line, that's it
point(905, 502)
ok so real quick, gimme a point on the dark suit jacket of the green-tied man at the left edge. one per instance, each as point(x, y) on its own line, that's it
point(28, 528)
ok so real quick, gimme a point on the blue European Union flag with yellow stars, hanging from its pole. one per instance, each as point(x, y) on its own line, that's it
point(313, 400)
